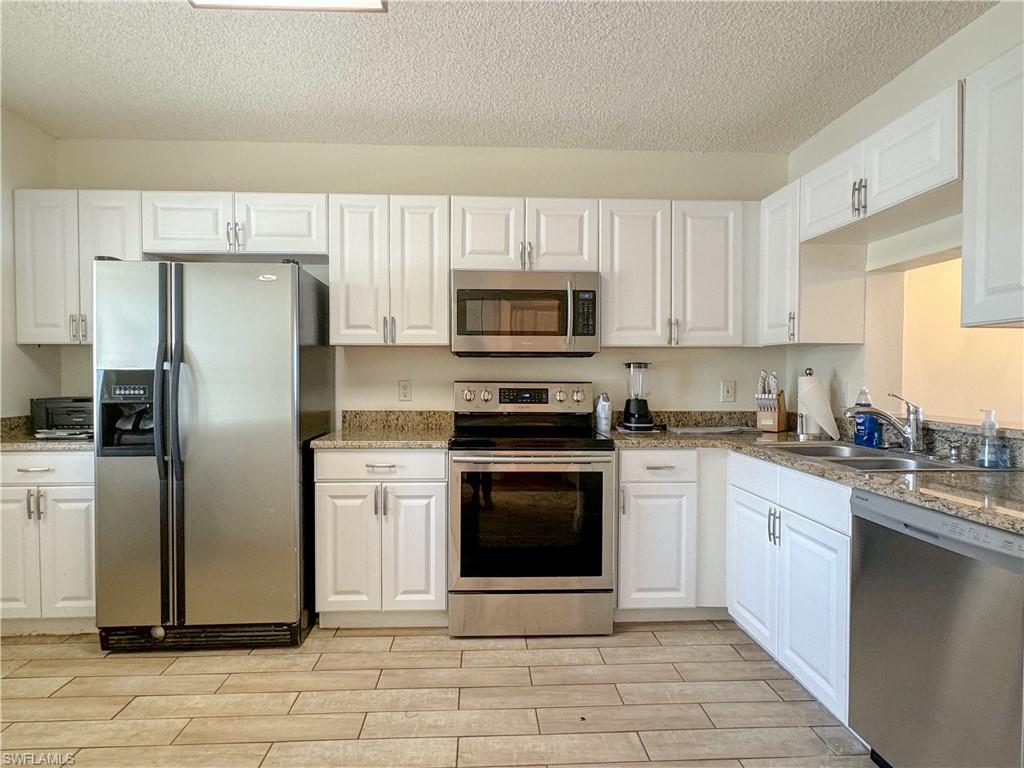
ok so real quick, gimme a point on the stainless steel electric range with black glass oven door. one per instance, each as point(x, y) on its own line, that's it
point(532, 511)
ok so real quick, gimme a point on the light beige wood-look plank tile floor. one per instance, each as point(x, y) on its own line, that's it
point(682, 695)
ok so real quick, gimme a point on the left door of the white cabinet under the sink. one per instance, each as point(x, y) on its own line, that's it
point(752, 569)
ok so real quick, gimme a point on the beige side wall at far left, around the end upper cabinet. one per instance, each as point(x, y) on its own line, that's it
point(28, 158)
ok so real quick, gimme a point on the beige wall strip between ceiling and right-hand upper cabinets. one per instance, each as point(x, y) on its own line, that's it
point(991, 35)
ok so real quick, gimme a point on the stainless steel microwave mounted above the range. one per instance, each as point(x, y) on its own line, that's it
point(503, 314)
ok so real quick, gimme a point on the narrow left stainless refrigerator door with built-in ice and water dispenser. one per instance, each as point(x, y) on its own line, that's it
point(133, 567)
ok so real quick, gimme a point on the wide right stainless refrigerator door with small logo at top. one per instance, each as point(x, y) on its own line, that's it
point(237, 415)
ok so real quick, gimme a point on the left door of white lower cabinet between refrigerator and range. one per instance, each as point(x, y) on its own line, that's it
point(349, 547)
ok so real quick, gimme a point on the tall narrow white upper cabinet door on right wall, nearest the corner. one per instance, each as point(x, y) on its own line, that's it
point(780, 266)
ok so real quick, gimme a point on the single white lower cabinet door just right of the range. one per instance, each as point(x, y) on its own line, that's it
point(658, 546)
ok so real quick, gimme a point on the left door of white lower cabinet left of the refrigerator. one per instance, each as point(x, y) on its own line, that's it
point(19, 556)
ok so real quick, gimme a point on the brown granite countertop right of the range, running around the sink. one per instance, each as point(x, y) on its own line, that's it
point(995, 499)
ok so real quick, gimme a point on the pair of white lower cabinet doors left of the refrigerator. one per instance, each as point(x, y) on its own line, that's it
point(49, 556)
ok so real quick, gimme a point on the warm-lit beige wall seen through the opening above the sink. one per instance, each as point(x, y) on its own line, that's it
point(955, 371)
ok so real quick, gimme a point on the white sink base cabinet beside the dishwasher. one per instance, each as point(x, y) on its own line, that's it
point(788, 580)
